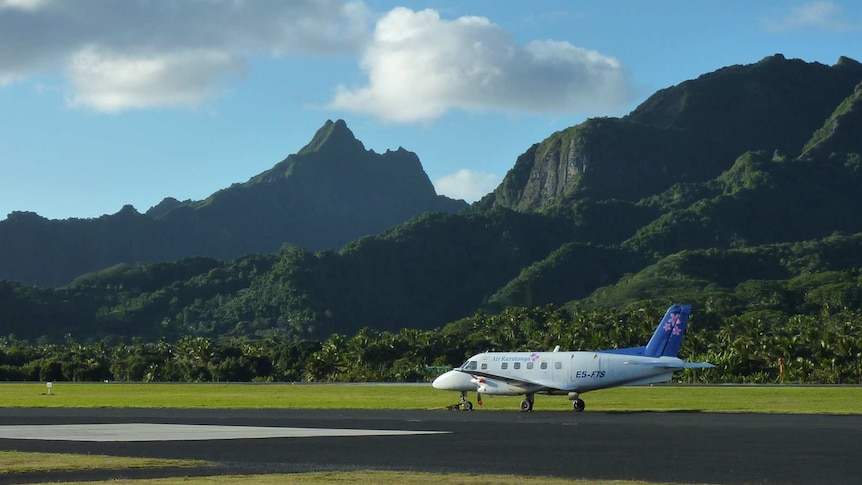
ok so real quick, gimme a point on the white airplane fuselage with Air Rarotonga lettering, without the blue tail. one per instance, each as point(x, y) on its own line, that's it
point(514, 373)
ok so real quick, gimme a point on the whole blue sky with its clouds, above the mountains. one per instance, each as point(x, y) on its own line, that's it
point(112, 102)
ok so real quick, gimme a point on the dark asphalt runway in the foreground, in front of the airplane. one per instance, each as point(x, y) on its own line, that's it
point(659, 447)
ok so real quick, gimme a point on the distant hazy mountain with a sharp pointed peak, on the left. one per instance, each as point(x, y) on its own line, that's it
point(331, 193)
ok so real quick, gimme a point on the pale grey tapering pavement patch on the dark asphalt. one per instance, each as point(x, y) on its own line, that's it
point(178, 432)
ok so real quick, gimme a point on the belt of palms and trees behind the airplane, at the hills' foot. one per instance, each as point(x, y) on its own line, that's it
point(761, 346)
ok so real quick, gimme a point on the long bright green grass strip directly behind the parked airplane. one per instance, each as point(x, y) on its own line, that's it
point(769, 399)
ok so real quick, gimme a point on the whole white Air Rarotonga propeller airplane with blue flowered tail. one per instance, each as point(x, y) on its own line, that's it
point(572, 373)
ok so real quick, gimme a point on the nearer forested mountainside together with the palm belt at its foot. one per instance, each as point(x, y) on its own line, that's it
point(737, 192)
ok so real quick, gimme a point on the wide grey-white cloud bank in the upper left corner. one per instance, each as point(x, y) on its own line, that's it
point(124, 54)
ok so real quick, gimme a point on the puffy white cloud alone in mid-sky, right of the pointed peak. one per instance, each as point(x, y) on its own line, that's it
point(420, 66)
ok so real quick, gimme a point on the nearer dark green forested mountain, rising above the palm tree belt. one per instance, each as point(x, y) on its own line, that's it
point(785, 216)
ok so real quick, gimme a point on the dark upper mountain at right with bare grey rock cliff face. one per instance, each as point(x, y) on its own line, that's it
point(686, 133)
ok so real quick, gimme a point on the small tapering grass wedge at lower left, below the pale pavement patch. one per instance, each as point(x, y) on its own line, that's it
point(13, 462)
